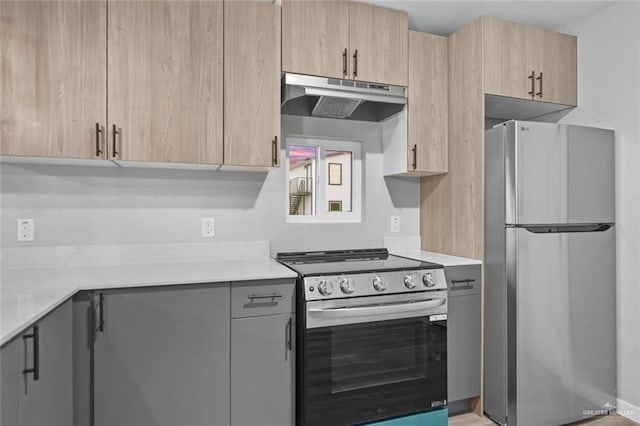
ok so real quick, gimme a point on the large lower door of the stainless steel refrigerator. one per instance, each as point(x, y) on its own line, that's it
point(565, 343)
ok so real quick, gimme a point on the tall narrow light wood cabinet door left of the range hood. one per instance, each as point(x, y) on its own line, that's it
point(251, 83)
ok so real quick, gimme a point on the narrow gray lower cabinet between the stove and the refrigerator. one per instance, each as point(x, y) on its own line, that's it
point(463, 332)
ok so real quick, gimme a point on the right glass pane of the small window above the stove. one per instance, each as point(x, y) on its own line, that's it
point(338, 181)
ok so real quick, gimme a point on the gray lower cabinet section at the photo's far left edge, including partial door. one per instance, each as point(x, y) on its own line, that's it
point(43, 351)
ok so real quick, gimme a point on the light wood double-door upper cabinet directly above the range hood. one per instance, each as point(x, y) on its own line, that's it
point(344, 39)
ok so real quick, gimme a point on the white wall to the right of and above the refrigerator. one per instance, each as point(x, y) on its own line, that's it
point(609, 96)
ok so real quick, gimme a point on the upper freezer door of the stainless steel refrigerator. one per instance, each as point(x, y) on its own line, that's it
point(558, 174)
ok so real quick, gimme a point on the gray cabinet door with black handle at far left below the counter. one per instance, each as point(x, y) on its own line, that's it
point(48, 400)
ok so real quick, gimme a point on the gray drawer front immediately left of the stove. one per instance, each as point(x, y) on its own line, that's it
point(255, 298)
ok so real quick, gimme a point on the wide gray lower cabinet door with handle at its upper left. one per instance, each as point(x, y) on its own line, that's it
point(162, 357)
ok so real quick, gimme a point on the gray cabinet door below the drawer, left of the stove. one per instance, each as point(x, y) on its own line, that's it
point(262, 371)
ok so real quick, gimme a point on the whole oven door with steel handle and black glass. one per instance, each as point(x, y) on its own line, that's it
point(361, 366)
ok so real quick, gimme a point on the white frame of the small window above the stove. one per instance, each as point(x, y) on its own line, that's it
point(321, 176)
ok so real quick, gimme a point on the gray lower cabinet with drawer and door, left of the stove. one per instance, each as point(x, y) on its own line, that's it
point(263, 354)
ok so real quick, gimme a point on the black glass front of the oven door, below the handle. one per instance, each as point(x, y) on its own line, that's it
point(375, 370)
